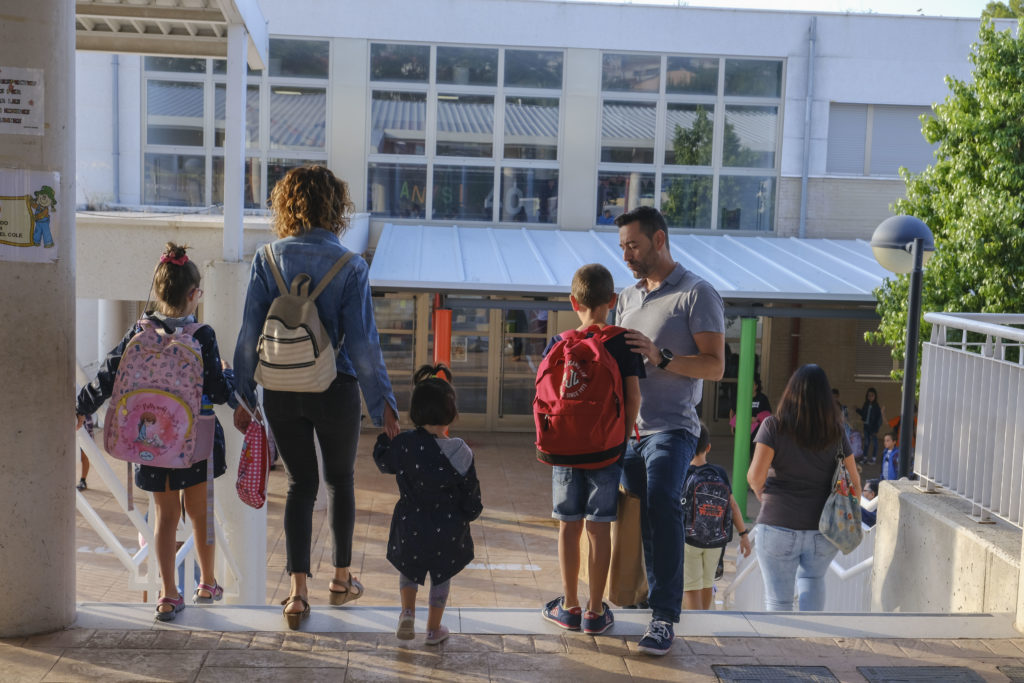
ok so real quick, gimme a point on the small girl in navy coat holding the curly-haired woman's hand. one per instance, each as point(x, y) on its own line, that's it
point(440, 495)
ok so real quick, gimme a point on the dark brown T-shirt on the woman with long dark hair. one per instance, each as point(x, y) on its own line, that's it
point(799, 480)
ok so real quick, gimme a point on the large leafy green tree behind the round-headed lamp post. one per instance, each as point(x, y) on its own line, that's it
point(972, 197)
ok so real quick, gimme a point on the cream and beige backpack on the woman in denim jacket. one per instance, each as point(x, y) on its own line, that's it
point(294, 351)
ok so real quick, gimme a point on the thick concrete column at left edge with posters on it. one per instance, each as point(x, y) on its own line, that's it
point(37, 440)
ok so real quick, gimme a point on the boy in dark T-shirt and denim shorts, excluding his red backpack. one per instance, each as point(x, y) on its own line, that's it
point(581, 493)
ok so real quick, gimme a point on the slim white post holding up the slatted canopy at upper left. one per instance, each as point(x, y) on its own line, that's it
point(235, 145)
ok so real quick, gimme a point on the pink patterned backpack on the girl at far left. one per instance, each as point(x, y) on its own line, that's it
point(153, 417)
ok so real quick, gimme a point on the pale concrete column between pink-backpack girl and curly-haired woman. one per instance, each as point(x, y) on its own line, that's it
point(225, 287)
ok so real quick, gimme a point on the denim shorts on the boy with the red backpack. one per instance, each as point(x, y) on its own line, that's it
point(590, 495)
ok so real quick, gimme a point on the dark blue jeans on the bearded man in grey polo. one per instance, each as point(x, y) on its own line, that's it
point(655, 467)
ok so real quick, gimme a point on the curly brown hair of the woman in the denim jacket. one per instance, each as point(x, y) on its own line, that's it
point(311, 197)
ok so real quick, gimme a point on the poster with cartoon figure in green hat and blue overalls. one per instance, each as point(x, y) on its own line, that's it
point(30, 216)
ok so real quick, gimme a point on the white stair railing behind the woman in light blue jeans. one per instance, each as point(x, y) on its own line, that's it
point(848, 582)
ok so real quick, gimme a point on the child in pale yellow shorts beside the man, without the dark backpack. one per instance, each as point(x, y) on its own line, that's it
point(700, 565)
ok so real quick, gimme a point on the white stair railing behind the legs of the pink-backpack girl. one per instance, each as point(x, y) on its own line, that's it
point(142, 565)
